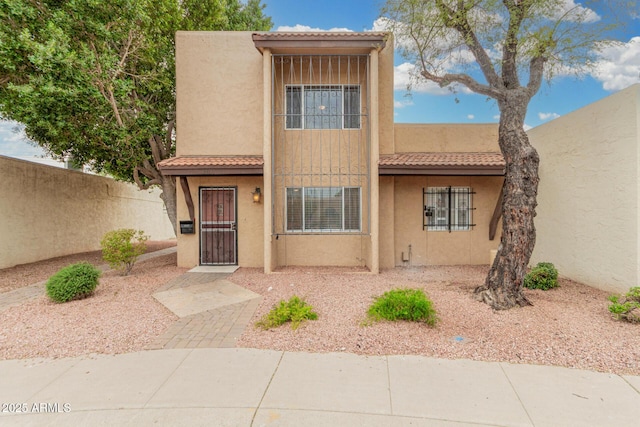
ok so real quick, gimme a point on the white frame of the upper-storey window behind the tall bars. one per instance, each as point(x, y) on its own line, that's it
point(345, 116)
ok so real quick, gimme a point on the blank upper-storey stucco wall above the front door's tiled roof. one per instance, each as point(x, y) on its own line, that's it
point(219, 94)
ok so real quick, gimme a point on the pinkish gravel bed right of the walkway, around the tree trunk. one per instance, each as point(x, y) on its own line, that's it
point(568, 326)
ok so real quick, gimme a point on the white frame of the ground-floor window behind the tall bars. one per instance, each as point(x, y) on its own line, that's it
point(303, 211)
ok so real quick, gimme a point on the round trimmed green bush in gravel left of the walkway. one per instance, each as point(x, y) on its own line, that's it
point(75, 281)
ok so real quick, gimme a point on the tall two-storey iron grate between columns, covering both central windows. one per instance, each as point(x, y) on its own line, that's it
point(320, 144)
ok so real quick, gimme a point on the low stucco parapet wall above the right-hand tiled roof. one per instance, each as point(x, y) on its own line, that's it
point(446, 137)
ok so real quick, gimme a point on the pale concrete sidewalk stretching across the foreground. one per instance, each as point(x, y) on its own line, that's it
point(248, 387)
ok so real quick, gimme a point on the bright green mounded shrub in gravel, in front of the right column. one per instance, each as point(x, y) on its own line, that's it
point(404, 304)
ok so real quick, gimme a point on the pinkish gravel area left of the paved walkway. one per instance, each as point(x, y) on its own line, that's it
point(121, 316)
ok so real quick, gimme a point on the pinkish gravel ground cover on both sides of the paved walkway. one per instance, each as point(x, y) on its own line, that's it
point(569, 326)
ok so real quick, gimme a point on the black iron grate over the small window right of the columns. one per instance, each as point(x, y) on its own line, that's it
point(447, 208)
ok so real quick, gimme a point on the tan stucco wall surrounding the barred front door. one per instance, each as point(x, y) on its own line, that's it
point(250, 223)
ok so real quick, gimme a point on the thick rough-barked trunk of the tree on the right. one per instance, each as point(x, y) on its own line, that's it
point(503, 286)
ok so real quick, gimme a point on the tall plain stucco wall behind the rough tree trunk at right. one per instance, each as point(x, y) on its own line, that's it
point(587, 222)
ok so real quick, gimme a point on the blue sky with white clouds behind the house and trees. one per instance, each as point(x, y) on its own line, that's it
point(618, 68)
